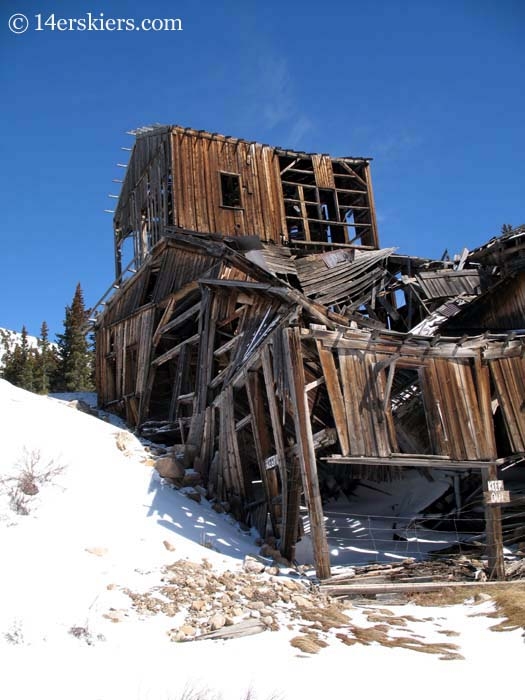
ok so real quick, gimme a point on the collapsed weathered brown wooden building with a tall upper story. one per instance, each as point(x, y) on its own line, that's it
point(260, 325)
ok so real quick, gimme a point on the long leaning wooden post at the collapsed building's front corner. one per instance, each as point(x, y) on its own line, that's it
point(305, 445)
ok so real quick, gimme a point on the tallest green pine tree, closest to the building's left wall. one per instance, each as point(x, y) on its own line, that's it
point(76, 357)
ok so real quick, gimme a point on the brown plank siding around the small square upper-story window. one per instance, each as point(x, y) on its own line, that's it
point(197, 162)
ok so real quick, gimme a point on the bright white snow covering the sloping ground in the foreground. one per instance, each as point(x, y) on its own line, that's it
point(100, 525)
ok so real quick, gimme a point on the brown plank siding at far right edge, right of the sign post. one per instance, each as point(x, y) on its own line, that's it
point(508, 375)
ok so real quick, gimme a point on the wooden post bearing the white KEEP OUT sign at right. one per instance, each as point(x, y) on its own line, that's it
point(494, 533)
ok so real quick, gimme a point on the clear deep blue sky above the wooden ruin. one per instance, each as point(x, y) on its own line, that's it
point(432, 91)
